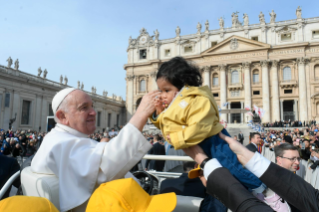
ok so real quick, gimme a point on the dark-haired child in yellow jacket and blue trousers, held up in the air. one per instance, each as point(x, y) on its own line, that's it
point(187, 115)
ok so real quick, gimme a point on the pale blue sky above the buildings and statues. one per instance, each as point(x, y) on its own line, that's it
point(87, 40)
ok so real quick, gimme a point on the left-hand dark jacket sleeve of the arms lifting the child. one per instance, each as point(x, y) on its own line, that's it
point(228, 190)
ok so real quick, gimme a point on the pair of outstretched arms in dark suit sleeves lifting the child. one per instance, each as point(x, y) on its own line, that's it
point(229, 191)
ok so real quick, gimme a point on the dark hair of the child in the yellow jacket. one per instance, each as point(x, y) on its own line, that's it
point(179, 73)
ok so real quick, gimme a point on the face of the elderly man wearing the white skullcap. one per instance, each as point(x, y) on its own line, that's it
point(81, 114)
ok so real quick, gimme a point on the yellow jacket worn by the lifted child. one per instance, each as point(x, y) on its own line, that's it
point(190, 118)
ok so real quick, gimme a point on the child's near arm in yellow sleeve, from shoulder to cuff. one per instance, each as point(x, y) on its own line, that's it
point(201, 121)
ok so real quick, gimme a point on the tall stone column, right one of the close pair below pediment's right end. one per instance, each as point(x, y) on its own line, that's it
point(275, 91)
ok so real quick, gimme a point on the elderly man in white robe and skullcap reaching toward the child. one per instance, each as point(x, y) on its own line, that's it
point(69, 153)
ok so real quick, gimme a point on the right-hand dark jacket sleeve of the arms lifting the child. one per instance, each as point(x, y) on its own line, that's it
point(292, 188)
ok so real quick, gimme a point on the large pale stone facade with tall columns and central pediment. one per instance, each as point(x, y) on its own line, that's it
point(274, 66)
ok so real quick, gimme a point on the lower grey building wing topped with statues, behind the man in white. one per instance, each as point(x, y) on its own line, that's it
point(25, 100)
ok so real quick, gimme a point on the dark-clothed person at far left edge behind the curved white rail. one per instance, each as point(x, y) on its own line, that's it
point(9, 166)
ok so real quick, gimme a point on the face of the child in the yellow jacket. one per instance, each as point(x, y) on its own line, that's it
point(168, 91)
